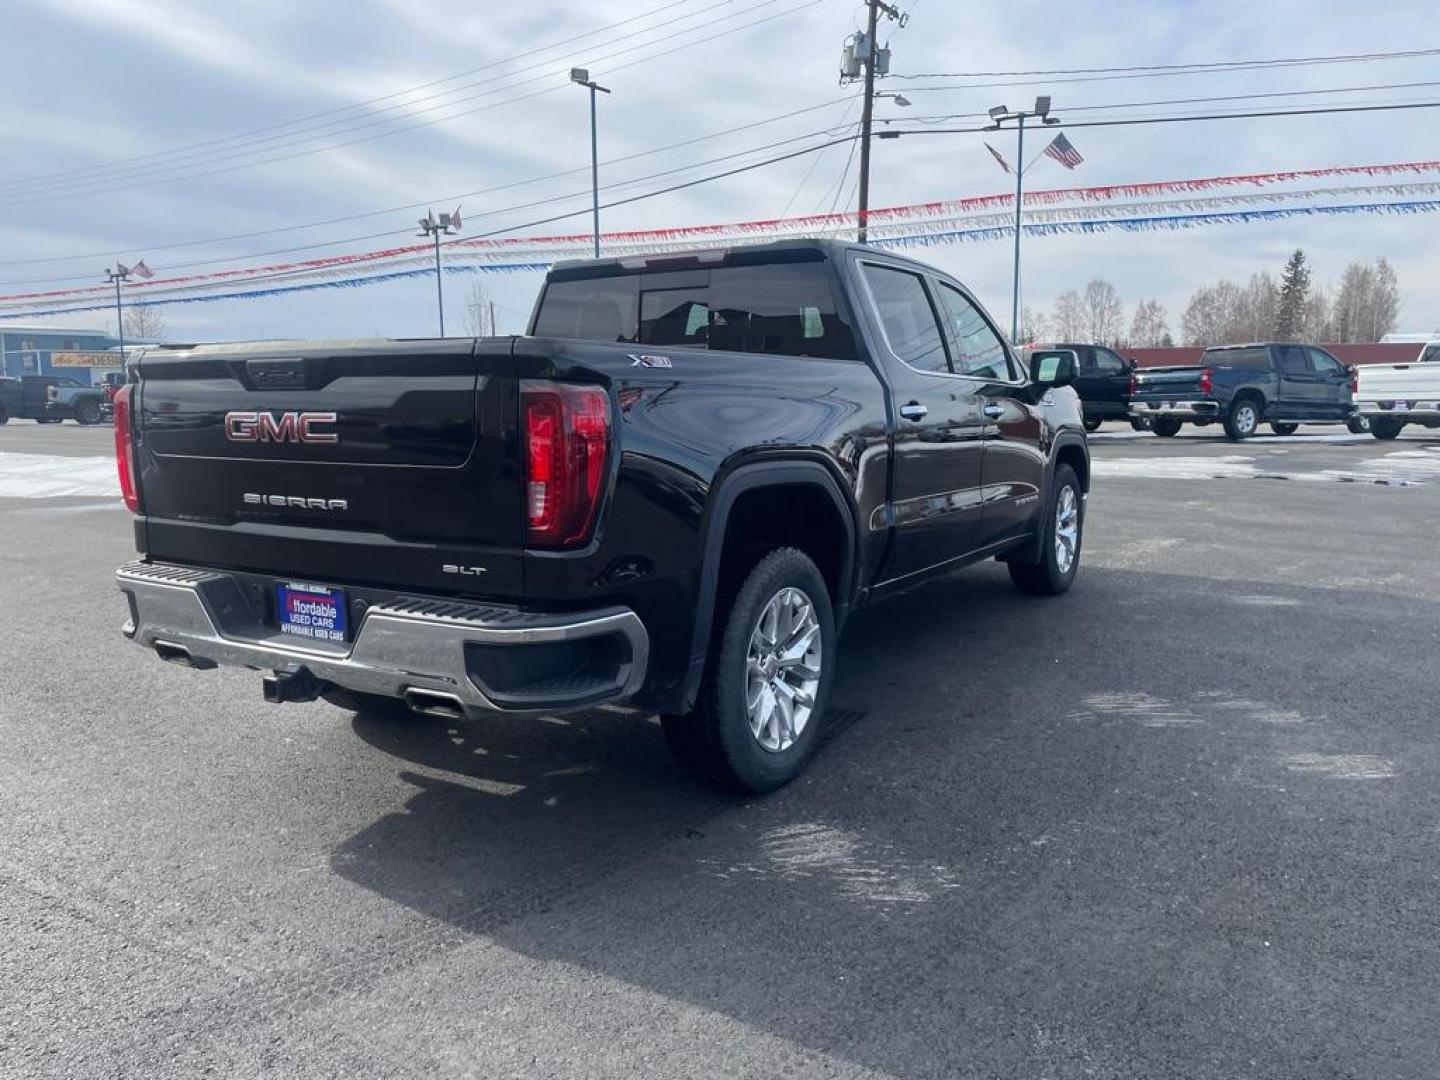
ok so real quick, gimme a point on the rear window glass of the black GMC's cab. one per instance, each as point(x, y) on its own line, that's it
point(786, 309)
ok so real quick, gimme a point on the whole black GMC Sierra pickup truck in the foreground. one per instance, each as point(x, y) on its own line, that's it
point(670, 493)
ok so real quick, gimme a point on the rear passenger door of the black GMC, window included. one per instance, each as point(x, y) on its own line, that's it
point(938, 446)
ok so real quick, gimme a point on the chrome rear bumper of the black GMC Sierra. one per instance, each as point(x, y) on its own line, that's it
point(407, 644)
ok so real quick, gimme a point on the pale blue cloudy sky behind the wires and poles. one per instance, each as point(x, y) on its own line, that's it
point(120, 120)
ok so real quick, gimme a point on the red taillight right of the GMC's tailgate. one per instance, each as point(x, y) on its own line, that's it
point(568, 440)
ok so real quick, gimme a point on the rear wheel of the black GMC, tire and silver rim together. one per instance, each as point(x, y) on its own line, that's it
point(758, 718)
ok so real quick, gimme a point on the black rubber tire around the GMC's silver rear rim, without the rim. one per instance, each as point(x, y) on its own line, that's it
point(715, 741)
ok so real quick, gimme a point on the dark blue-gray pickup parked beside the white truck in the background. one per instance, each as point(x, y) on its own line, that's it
point(1242, 387)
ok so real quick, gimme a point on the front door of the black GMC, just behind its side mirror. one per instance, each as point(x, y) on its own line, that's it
point(1014, 472)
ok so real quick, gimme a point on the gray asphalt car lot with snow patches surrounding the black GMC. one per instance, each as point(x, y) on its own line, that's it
point(1182, 823)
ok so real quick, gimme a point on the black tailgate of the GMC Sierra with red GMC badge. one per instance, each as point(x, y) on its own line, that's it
point(349, 462)
